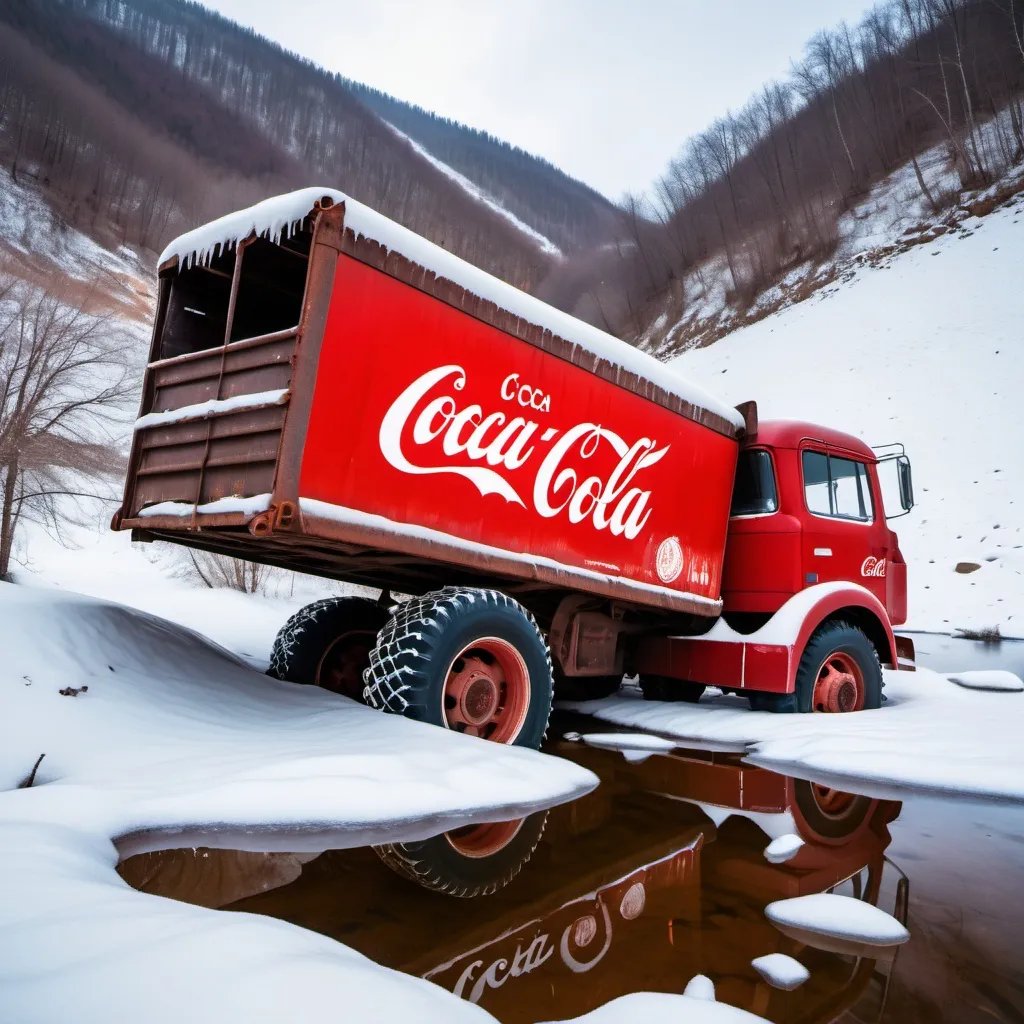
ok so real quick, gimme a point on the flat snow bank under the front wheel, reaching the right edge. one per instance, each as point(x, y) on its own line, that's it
point(930, 735)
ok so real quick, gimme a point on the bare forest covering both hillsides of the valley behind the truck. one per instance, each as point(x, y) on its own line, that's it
point(142, 118)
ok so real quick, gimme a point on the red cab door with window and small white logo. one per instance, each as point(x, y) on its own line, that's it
point(845, 534)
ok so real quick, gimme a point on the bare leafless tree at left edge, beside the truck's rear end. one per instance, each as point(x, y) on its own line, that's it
point(65, 376)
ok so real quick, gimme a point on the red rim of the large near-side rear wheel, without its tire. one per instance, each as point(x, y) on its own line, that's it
point(487, 691)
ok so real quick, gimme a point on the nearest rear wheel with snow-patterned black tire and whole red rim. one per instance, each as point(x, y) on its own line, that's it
point(472, 661)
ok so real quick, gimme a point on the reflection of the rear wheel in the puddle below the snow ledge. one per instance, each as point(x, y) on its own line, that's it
point(477, 861)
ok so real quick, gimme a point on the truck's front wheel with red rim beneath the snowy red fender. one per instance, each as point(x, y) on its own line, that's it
point(839, 672)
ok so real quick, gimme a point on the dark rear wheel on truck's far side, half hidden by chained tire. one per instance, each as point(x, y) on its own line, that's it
point(328, 645)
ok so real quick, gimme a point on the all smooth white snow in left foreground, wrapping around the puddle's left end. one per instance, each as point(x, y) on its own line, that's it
point(154, 737)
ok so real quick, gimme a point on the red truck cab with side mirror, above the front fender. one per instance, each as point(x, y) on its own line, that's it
point(808, 509)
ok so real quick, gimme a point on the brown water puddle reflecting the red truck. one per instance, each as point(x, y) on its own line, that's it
point(661, 874)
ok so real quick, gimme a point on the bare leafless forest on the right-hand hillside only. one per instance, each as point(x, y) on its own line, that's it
point(763, 189)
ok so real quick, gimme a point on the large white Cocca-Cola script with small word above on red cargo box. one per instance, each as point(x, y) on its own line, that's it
point(426, 433)
